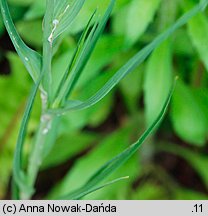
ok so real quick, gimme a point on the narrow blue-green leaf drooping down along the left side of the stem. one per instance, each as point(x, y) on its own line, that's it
point(18, 173)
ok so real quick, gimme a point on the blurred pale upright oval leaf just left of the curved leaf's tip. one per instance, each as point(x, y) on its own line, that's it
point(158, 79)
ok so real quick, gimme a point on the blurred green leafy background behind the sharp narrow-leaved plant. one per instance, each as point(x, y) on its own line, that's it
point(173, 163)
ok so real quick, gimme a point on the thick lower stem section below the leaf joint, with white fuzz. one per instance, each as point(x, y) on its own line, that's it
point(44, 141)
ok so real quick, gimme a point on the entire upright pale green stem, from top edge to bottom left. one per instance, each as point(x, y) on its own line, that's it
point(46, 134)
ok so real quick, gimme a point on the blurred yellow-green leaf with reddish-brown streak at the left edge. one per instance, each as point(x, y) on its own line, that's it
point(11, 111)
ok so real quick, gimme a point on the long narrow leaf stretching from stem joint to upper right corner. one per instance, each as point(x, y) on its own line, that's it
point(131, 64)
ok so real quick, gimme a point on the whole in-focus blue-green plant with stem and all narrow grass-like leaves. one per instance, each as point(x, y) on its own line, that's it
point(59, 15)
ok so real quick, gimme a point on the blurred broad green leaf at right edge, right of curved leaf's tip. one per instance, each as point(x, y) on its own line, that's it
point(188, 118)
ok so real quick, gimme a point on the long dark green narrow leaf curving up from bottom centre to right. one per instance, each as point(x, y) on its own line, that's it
point(120, 159)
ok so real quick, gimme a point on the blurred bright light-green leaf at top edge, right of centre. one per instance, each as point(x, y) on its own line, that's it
point(140, 10)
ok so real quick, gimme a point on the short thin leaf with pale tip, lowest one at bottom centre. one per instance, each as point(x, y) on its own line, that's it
point(83, 192)
